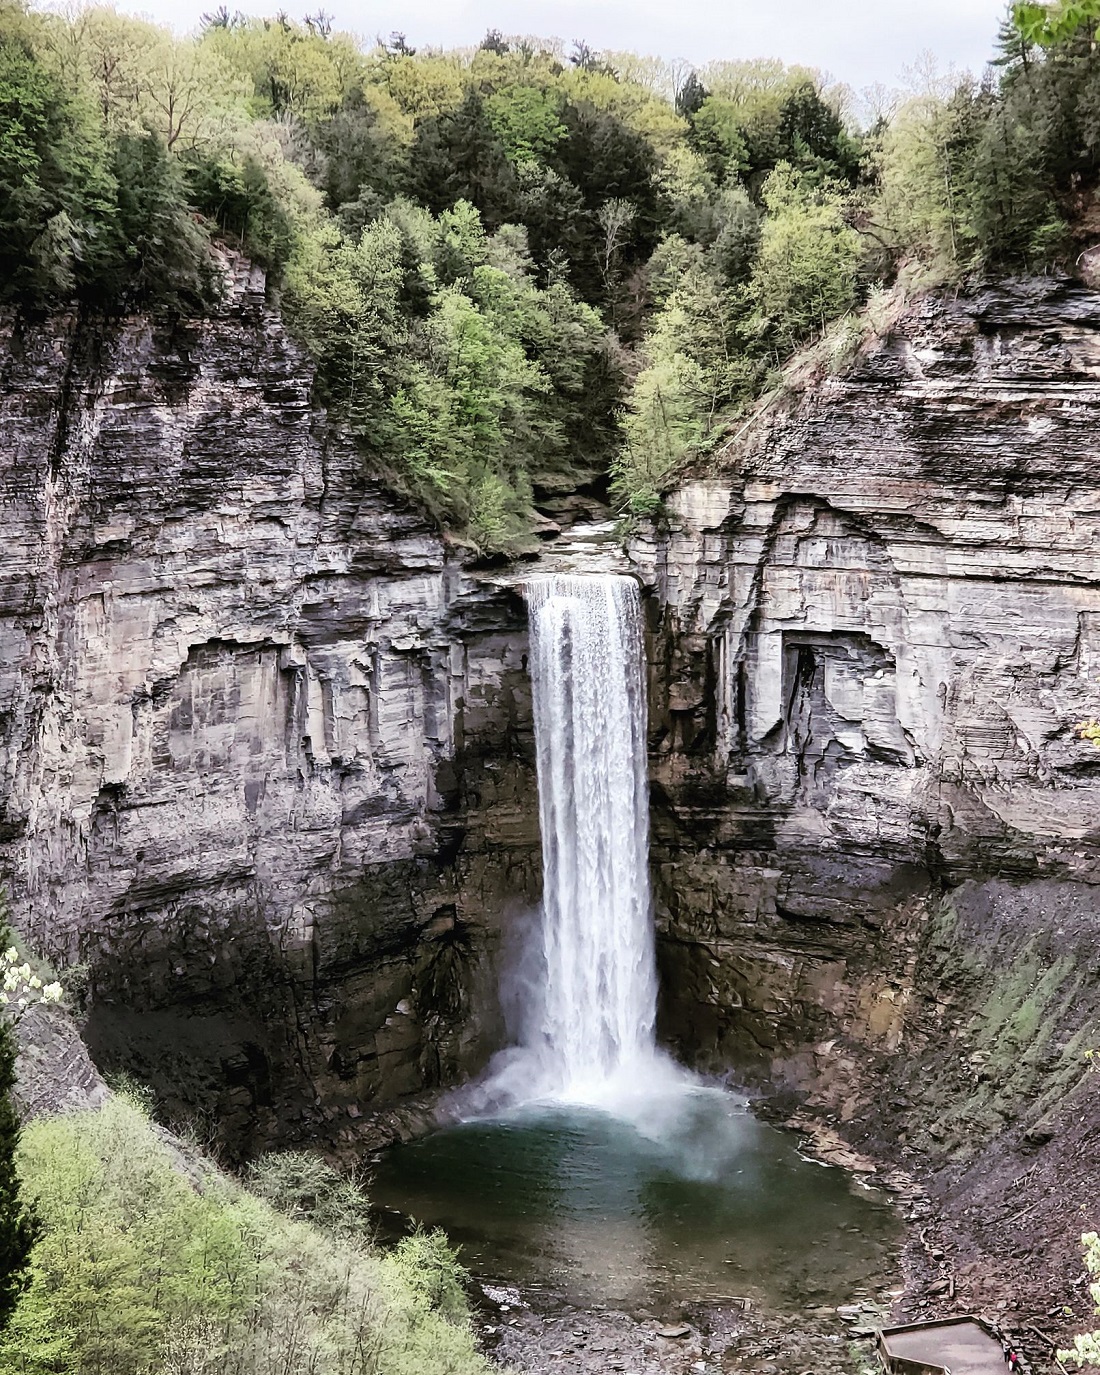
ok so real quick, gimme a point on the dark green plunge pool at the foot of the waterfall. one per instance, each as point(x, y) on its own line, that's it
point(692, 1200)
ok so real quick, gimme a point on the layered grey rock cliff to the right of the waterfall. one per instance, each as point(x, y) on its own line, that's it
point(875, 637)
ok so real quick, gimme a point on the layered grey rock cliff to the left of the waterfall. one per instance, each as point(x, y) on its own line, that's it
point(267, 756)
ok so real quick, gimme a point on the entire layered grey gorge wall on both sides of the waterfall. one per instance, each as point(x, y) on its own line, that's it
point(269, 762)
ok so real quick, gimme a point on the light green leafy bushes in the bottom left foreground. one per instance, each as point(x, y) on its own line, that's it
point(152, 1264)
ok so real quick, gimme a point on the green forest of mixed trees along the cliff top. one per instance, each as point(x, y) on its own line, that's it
point(522, 270)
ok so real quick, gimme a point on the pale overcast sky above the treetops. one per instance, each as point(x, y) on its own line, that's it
point(860, 42)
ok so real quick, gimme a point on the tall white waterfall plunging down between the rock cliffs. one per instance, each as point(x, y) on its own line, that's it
point(595, 1003)
